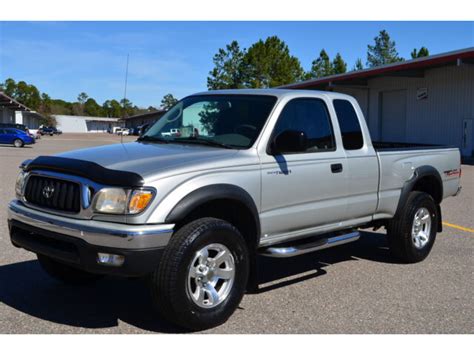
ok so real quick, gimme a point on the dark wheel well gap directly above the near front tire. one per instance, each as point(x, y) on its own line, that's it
point(232, 211)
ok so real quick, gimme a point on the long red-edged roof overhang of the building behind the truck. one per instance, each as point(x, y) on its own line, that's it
point(408, 68)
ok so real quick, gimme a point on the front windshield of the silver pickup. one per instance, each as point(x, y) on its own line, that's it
point(228, 121)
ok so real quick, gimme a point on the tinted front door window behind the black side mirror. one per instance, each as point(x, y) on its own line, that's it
point(311, 117)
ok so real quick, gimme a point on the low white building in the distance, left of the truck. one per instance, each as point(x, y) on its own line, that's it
point(86, 124)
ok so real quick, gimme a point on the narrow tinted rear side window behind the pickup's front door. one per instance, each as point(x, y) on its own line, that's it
point(351, 132)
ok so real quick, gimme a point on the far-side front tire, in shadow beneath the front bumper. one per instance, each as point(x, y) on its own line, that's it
point(66, 273)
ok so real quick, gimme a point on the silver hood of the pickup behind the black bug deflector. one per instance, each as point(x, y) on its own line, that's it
point(147, 159)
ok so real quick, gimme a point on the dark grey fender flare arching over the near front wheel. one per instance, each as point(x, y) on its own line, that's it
point(209, 193)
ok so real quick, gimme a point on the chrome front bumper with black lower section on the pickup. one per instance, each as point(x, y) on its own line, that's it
point(77, 242)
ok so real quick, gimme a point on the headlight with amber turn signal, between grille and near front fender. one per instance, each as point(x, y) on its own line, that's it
point(121, 201)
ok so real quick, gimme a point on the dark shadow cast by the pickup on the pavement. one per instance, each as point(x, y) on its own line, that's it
point(26, 288)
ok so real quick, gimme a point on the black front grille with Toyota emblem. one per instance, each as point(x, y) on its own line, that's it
point(53, 193)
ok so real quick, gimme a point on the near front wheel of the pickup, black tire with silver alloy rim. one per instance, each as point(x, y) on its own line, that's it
point(173, 294)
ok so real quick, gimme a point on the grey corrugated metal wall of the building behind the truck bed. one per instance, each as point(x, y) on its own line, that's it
point(437, 119)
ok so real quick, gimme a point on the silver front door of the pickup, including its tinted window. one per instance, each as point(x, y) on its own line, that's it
point(306, 189)
